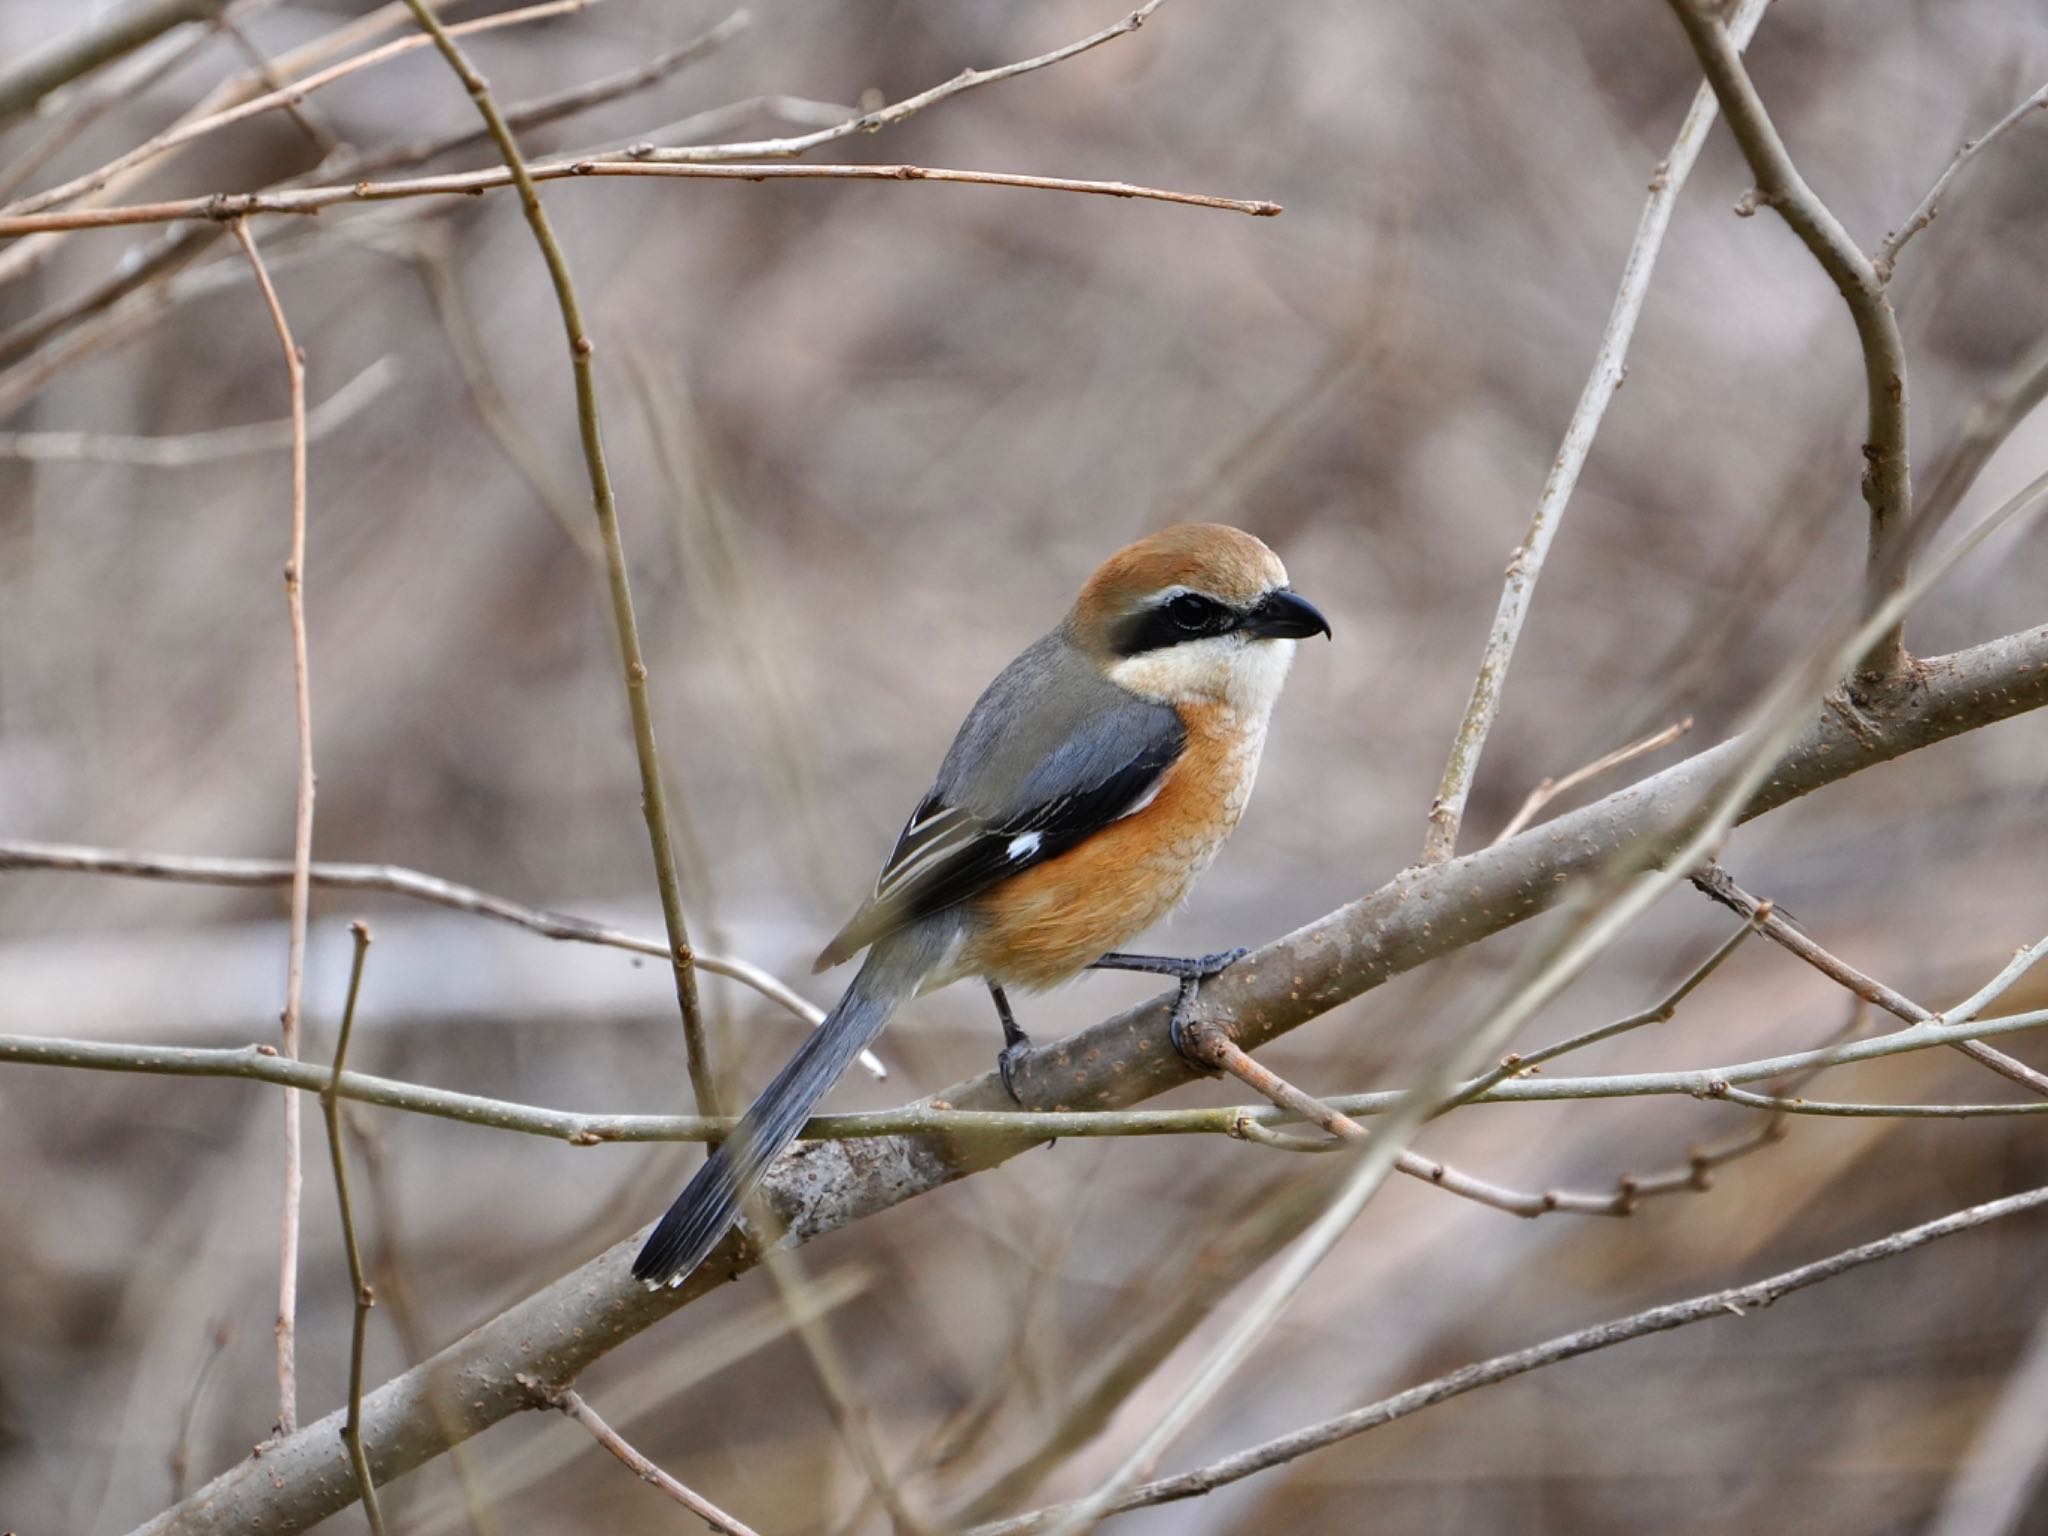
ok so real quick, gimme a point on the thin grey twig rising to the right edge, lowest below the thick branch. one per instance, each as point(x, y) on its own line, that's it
point(1738, 1302)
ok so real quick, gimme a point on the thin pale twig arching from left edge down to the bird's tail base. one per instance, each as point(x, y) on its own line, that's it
point(394, 880)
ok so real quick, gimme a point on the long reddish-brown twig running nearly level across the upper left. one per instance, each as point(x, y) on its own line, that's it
point(472, 183)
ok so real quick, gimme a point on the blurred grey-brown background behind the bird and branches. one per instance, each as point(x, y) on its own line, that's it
point(869, 439)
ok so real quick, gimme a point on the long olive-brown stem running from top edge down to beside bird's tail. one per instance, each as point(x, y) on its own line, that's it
point(654, 798)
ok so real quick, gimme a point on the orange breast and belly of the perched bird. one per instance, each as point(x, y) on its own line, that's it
point(1050, 923)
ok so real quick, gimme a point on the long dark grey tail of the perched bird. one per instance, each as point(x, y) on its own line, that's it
point(710, 1205)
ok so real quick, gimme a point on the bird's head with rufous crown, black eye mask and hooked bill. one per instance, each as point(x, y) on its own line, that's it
point(1197, 613)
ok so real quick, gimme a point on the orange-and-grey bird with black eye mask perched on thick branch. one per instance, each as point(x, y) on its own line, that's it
point(1086, 792)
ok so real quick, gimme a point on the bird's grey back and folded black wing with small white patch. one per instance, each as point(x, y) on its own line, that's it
point(1046, 759)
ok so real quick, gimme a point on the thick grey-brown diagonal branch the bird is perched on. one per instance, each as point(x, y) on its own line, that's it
point(824, 1187)
